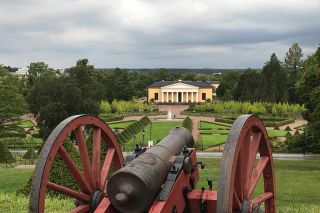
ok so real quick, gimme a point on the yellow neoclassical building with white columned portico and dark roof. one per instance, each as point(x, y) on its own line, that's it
point(182, 91)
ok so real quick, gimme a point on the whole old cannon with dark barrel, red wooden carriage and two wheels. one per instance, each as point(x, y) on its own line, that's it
point(162, 178)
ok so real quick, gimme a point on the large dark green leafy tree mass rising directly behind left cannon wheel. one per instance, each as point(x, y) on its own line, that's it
point(53, 98)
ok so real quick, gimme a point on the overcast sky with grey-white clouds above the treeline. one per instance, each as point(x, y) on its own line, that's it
point(155, 33)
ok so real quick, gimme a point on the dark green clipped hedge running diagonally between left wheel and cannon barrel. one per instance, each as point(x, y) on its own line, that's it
point(128, 133)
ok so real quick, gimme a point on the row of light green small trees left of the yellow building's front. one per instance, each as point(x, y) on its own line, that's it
point(119, 106)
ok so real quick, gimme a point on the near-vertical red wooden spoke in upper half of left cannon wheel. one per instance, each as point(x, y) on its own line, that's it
point(96, 155)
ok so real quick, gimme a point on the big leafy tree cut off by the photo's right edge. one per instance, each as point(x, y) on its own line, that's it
point(308, 89)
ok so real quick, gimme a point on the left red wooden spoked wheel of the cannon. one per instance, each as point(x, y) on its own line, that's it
point(92, 181)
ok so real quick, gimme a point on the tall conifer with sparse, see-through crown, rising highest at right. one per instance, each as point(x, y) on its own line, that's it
point(293, 63)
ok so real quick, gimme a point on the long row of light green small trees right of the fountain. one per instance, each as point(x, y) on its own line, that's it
point(260, 108)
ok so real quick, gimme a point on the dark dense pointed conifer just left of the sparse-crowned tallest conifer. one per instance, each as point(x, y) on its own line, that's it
point(273, 85)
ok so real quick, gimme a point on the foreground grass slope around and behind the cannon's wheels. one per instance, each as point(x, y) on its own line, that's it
point(297, 186)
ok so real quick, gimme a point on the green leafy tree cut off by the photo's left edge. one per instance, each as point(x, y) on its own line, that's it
point(12, 103)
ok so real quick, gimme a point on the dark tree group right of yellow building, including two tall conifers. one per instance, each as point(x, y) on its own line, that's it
point(275, 83)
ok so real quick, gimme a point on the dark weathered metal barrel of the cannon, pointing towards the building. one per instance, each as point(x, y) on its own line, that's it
point(133, 188)
